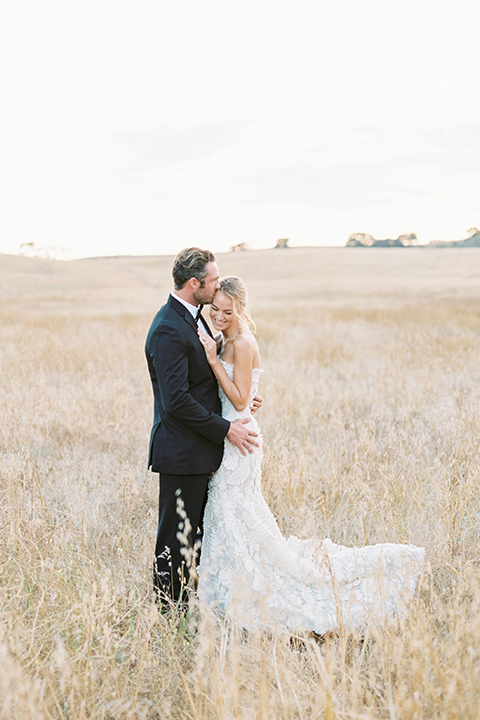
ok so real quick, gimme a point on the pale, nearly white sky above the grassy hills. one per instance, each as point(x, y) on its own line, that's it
point(143, 127)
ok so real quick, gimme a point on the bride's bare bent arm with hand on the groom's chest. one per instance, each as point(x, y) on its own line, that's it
point(238, 389)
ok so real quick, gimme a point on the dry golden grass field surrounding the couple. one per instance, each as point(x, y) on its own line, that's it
point(371, 422)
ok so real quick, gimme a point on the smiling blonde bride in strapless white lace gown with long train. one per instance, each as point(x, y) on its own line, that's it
point(249, 571)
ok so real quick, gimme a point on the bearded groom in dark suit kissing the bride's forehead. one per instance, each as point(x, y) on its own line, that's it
point(186, 442)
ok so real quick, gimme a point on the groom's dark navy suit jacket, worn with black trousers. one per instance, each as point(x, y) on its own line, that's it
point(188, 430)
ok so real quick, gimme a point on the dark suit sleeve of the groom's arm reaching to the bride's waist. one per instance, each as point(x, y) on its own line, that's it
point(169, 354)
